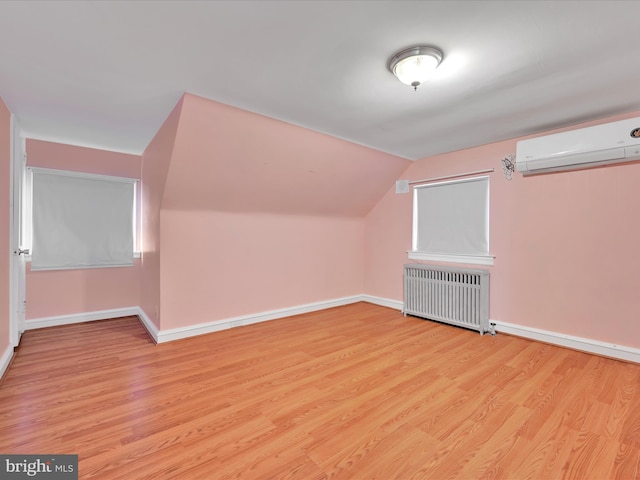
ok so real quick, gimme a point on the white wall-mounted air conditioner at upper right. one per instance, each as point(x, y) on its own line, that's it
point(614, 142)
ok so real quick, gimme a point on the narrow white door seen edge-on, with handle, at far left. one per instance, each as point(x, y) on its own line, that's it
point(17, 261)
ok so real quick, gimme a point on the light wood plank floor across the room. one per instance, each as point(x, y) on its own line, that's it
point(356, 392)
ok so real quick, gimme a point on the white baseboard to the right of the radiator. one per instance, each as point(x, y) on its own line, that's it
point(596, 347)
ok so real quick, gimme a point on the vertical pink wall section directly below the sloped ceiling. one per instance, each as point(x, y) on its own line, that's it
point(218, 265)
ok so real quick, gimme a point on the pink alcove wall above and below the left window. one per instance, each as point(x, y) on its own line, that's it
point(53, 293)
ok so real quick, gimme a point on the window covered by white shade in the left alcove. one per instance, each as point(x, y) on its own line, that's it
point(80, 220)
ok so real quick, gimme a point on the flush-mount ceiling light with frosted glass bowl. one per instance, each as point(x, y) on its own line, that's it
point(415, 65)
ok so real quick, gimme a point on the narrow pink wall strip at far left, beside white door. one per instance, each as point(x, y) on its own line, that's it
point(5, 185)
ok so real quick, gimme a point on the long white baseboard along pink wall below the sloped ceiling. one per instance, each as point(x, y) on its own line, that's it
point(217, 325)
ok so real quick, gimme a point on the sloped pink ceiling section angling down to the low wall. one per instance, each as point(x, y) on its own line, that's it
point(227, 159)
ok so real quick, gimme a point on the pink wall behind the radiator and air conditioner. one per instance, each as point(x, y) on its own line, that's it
point(565, 244)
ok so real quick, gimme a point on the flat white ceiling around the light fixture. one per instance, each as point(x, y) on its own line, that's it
point(107, 74)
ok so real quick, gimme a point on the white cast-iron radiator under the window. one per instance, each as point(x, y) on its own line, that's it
point(458, 296)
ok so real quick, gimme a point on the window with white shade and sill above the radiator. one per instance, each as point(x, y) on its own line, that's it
point(451, 222)
